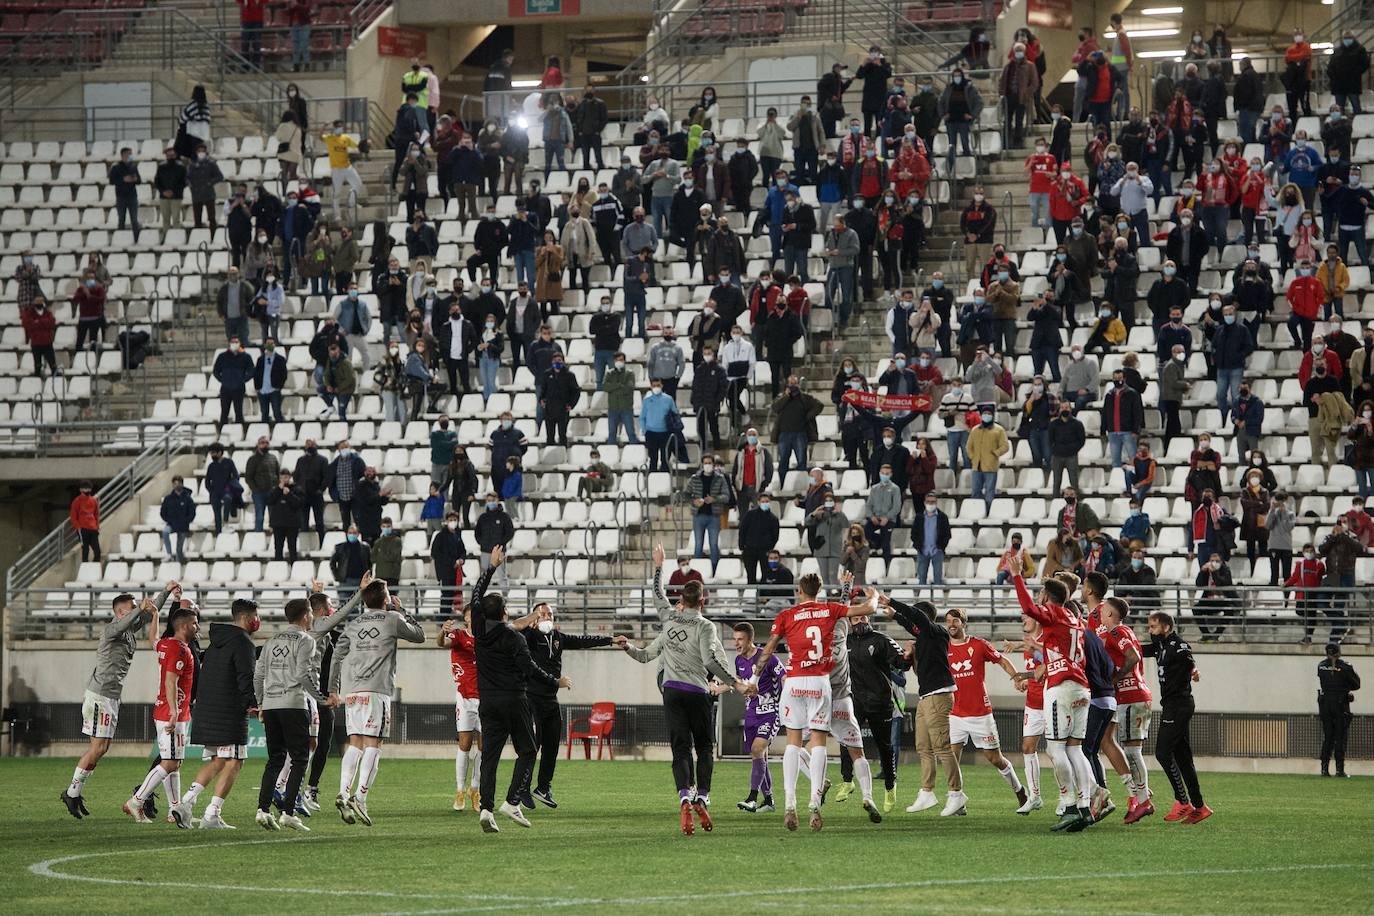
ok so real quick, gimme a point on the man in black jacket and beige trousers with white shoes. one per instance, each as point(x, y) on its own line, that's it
point(931, 659)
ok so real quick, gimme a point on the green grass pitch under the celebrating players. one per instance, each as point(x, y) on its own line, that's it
point(1276, 845)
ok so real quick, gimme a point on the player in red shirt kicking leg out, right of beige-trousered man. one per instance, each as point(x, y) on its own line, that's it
point(972, 713)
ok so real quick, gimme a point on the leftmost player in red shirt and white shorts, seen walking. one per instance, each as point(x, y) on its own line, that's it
point(171, 715)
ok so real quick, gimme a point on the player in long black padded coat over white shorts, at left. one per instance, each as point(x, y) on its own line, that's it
point(219, 722)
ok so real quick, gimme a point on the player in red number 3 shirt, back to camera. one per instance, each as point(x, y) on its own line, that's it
point(806, 696)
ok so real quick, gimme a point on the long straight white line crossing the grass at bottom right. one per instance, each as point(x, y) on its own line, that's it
point(934, 882)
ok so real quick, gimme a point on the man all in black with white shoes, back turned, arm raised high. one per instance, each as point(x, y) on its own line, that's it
point(505, 671)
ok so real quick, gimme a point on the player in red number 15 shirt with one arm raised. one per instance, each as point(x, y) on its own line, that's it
point(1066, 694)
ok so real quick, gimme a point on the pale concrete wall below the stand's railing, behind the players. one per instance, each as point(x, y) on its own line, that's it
point(1230, 683)
